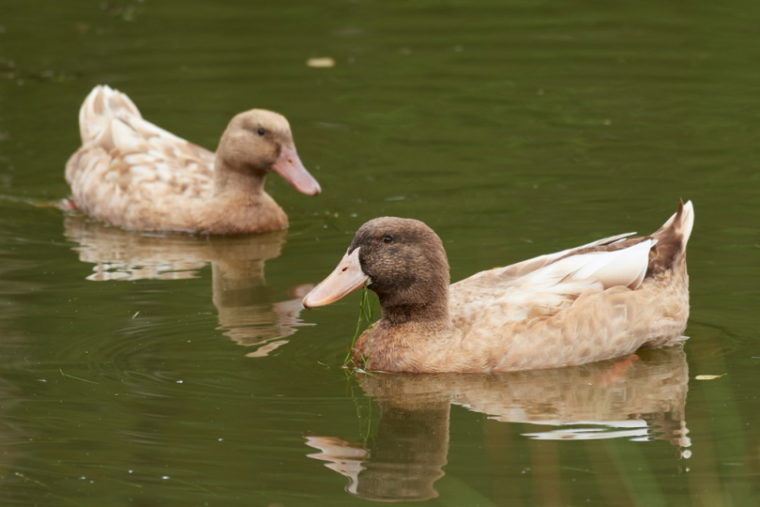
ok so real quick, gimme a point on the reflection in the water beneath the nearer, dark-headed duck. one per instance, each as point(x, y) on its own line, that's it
point(638, 397)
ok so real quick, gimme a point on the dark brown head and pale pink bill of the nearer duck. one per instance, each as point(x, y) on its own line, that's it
point(401, 259)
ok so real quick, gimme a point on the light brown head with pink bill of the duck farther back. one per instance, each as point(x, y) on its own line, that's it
point(259, 141)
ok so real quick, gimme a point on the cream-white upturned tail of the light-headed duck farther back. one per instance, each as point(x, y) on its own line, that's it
point(101, 105)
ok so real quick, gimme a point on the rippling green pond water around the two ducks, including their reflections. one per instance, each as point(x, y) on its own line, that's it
point(172, 370)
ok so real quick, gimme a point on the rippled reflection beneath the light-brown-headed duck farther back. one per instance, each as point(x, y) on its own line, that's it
point(247, 312)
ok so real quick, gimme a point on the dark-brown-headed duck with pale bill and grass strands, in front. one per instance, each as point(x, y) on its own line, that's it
point(594, 302)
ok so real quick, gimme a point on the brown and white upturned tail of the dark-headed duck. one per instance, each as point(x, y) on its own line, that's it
point(672, 239)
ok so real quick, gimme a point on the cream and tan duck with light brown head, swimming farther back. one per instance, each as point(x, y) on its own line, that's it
point(133, 174)
